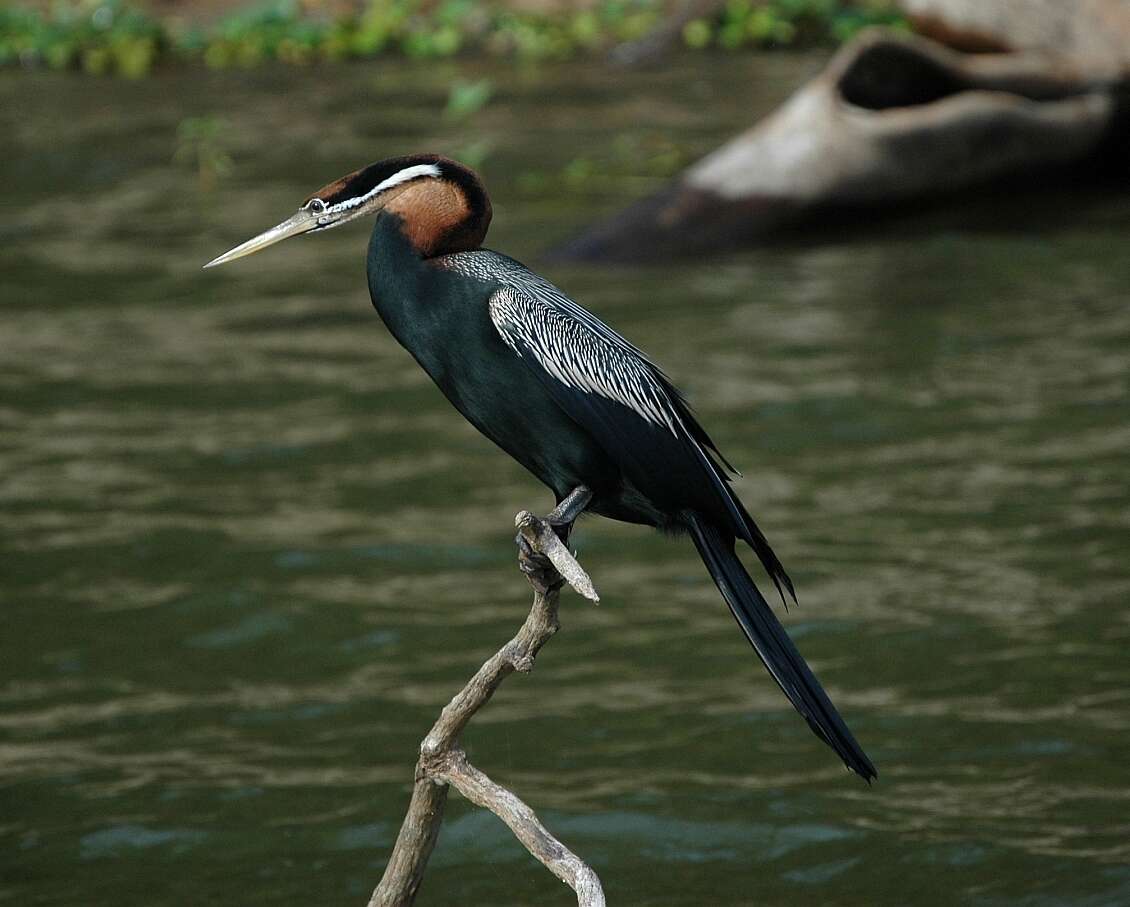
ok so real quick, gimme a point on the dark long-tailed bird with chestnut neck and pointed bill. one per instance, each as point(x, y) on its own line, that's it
point(575, 403)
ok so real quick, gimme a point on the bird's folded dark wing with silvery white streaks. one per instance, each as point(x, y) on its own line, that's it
point(598, 378)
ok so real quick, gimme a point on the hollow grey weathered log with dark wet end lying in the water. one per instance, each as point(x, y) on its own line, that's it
point(891, 120)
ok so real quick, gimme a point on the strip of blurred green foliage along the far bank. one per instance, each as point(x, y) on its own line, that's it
point(112, 37)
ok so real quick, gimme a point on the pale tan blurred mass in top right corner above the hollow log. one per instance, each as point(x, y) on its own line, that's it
point(1097, 30)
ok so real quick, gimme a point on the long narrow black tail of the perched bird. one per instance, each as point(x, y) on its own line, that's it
point(775, 647)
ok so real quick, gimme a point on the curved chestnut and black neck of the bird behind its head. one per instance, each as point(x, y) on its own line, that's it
point(441, 216)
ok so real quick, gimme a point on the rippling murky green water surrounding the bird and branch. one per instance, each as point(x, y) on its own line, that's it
point(247, 551)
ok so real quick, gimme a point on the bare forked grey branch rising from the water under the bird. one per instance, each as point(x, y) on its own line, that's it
point(442, 763)
